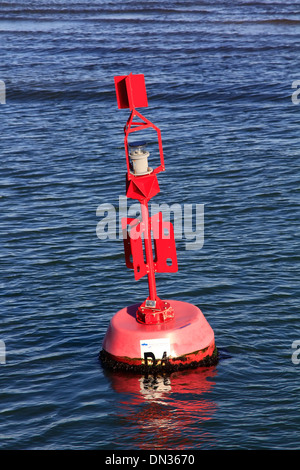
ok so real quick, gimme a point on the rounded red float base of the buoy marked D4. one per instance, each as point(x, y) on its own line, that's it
point(186, 341)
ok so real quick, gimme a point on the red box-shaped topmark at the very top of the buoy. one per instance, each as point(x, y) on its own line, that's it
point(131, 91)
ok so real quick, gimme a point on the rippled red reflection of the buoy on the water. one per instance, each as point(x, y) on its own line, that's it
point(167, 411)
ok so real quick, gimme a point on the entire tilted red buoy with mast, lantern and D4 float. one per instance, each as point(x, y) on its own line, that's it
point(157, 334)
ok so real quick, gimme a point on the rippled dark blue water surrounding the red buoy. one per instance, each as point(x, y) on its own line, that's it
point(219, 81)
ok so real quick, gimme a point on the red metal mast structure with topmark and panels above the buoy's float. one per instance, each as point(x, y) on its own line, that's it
point(131, 93)
